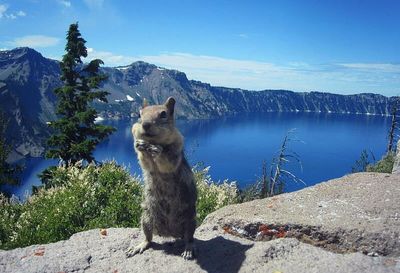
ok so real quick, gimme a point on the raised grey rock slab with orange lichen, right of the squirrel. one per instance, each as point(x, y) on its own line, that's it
point(358, 212)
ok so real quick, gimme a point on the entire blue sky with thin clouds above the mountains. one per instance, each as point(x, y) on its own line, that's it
point(341, 46)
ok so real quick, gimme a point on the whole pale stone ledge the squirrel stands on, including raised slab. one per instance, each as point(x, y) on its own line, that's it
point(350, 224)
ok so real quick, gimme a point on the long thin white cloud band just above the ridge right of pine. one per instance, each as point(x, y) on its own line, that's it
point(255, 75)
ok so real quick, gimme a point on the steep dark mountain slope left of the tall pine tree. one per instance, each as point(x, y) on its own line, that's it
point(27, 80)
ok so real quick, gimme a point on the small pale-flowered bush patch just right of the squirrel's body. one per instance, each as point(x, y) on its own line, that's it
point(211, 195)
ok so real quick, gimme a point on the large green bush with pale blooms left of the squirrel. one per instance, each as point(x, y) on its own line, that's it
point(91, 197)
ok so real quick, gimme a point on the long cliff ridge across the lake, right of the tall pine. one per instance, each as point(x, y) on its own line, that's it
point(200, 100)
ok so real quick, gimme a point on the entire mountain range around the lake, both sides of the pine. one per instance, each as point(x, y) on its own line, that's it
point(27, 81)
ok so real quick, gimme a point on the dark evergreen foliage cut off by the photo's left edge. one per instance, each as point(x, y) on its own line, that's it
point(9, 174)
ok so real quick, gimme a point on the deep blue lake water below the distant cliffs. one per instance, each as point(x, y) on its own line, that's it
point(235, 147)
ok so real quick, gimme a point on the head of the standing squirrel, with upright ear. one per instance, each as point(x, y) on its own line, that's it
point(156, 121)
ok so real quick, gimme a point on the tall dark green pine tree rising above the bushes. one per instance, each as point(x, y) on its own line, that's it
point(76, 133)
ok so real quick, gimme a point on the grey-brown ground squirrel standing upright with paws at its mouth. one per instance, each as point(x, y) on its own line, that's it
point(169, 206)
